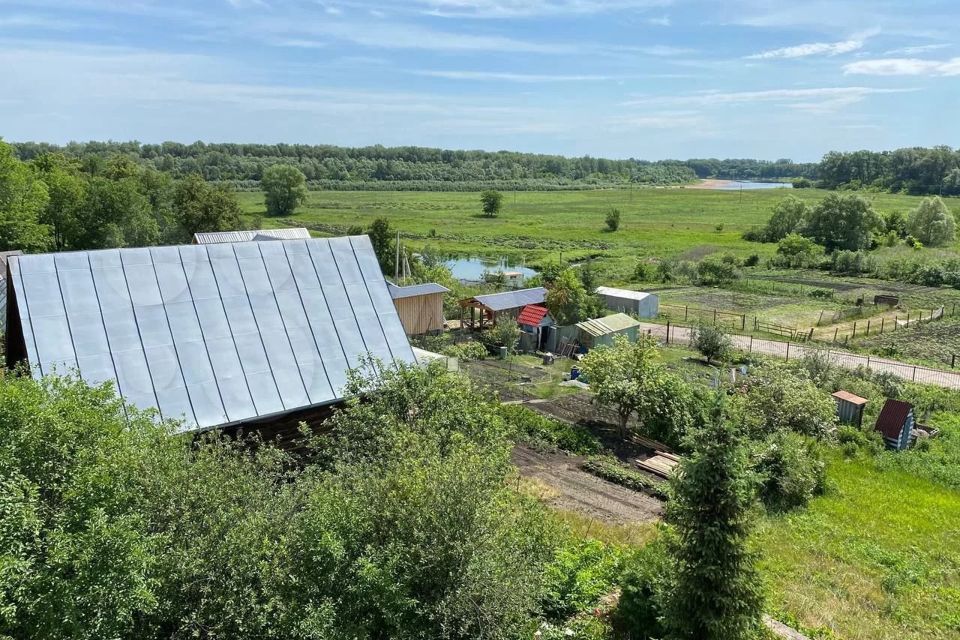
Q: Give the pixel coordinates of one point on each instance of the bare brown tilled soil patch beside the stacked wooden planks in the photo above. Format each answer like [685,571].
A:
[576,490]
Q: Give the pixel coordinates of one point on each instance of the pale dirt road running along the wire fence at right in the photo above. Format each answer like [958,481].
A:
[792,350]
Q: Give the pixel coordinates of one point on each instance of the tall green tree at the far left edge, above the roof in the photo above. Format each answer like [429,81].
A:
[23,199]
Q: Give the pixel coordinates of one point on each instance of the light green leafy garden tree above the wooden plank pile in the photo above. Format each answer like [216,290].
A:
[629,378]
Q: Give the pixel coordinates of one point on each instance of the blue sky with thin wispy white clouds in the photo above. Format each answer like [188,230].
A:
[649,79]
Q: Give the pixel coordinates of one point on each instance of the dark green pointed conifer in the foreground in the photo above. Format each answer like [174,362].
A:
[716,591]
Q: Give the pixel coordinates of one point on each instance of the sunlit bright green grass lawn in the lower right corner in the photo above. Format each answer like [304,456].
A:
[878,557]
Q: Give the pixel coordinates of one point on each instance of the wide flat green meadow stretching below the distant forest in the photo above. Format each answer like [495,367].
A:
[537,226]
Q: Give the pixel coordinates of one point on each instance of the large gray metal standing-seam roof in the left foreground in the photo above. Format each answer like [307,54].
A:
[216,334]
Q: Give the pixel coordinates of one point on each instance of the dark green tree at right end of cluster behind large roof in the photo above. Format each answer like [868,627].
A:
[199,207]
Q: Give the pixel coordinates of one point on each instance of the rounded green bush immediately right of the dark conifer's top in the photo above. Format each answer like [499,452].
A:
[791,471]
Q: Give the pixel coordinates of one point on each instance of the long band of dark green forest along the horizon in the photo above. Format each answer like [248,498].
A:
[913,170]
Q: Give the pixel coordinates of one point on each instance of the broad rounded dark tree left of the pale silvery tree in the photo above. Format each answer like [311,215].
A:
[842,222]
